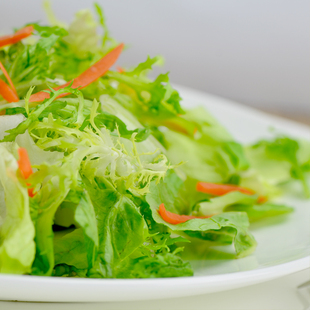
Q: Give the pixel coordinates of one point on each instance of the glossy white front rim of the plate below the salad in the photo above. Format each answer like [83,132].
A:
[91,289]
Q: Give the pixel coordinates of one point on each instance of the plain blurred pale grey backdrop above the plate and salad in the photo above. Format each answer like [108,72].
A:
[253,52]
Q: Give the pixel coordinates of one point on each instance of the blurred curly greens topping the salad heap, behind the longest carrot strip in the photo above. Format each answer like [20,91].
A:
[57,53]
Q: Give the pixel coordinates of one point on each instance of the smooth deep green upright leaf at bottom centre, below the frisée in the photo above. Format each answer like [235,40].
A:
[121,228]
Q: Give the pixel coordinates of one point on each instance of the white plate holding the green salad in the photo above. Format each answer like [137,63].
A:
[283,245]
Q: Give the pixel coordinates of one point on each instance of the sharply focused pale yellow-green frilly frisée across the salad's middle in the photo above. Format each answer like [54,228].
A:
[105,155]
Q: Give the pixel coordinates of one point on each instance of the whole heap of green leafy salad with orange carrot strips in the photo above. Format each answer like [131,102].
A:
[103,174]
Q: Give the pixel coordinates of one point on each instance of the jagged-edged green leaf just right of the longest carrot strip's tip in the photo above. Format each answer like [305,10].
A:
[150,101]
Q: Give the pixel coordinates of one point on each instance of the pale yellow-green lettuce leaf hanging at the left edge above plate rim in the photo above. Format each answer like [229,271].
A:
[17,247]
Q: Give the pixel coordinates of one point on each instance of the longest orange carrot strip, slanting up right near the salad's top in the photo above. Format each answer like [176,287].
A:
[87,77]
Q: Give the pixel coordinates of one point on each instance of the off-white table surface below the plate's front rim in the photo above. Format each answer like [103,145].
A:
[279,294]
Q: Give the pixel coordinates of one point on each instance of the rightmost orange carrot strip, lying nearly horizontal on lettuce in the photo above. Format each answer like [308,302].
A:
[222,189]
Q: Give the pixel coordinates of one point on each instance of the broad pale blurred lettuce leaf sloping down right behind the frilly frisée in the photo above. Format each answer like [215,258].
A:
[209,152]
